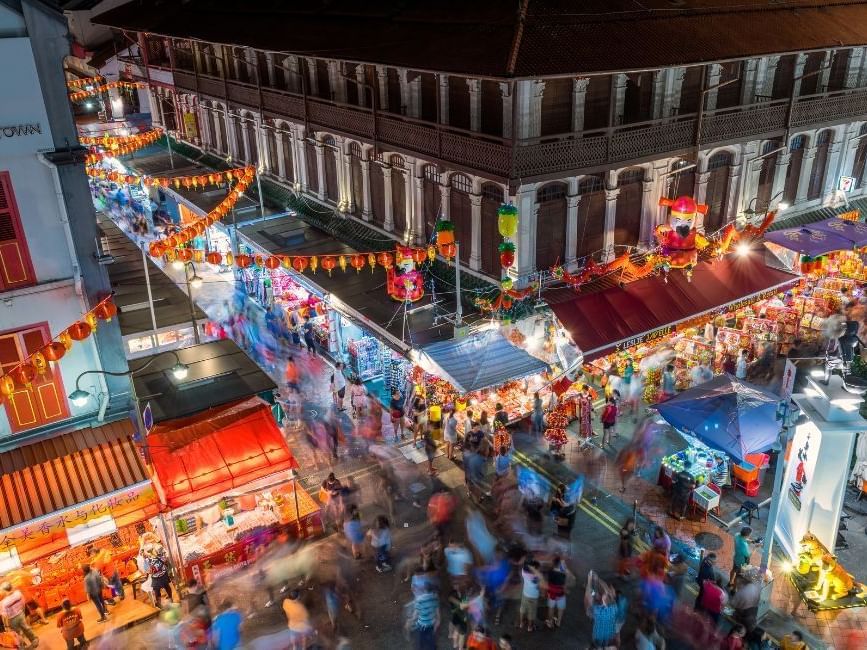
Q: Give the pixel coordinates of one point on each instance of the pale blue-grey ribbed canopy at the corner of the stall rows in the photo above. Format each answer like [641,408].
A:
[479,361]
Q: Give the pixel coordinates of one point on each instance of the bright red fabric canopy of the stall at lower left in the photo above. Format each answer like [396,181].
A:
[220,449]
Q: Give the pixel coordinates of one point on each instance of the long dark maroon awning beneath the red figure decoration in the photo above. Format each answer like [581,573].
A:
[613,318]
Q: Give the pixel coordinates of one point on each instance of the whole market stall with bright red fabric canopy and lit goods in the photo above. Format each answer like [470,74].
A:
[225,477]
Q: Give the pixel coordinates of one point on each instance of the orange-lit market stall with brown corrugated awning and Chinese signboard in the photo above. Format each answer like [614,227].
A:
[62,507]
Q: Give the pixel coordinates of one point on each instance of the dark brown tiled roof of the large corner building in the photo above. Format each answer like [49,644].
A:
[501,39]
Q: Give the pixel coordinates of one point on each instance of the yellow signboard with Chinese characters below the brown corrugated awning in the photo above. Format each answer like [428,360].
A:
[50,533]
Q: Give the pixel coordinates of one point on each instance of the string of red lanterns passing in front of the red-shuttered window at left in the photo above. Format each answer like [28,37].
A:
[25,371]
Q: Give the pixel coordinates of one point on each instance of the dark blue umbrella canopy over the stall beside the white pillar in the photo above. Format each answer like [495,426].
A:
[726,413]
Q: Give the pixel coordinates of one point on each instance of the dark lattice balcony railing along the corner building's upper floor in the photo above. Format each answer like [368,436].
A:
[565,154]
